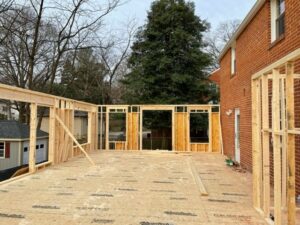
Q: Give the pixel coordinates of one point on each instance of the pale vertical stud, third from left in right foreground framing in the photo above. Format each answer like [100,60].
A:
[277,148]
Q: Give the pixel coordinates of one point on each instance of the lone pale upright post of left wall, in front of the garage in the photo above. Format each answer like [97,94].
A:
[32,142]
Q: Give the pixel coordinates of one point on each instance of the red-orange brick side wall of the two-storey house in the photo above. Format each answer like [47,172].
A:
[254,52]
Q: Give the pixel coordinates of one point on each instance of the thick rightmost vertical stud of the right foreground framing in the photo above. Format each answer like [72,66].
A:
[291,204]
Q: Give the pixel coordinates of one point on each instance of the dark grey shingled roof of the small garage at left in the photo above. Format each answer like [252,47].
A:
[10,129]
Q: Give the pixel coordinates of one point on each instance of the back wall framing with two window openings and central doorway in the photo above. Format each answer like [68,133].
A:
[180,126]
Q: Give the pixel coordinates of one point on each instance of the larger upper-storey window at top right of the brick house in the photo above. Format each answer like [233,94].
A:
[278,19]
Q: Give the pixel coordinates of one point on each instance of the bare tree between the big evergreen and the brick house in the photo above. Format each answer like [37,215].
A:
[218,38]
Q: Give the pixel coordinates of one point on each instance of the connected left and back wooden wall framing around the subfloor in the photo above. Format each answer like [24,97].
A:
[63,145]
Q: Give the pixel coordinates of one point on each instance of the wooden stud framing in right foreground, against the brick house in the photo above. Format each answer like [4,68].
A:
[283,131]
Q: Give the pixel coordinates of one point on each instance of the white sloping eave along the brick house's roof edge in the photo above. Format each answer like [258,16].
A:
[243,25]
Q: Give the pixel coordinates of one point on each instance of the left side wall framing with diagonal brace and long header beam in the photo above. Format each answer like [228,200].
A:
[62,144]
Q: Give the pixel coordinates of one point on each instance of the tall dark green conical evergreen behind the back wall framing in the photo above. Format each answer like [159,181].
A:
[168,64]
